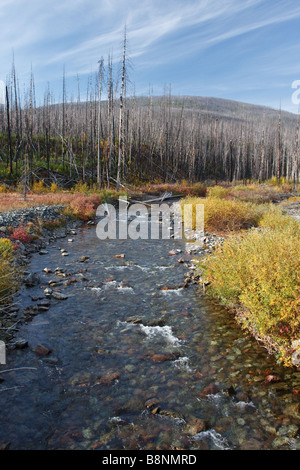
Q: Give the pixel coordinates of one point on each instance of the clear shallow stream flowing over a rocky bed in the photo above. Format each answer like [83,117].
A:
[133,366]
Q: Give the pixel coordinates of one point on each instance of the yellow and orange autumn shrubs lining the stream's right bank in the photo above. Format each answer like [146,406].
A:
[255,272]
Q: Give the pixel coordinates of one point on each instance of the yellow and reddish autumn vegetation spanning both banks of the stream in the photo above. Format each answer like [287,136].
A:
[255,272]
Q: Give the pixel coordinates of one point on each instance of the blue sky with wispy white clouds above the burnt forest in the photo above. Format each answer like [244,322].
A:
[243,50]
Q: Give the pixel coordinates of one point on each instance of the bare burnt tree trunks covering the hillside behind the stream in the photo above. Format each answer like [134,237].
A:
[135,140]
